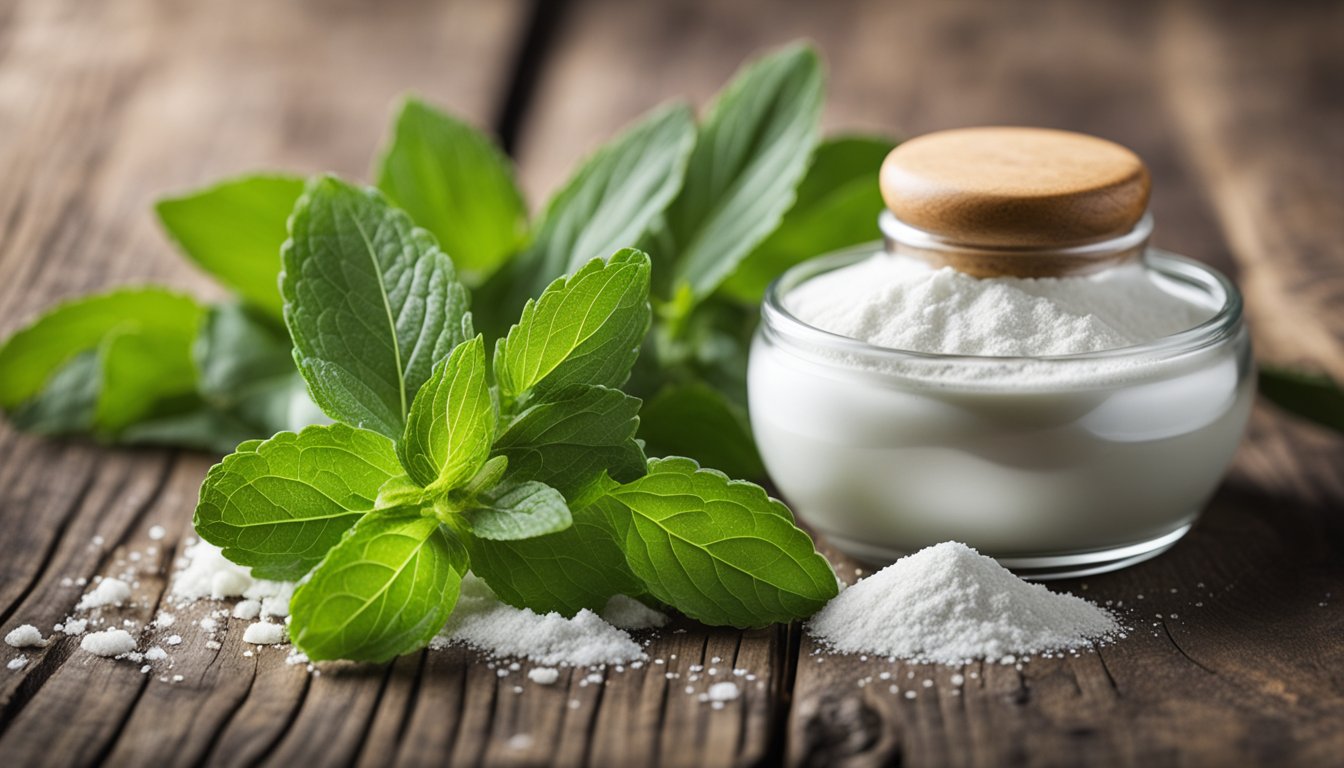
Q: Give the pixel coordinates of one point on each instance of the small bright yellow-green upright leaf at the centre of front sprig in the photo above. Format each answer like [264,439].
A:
[452,422]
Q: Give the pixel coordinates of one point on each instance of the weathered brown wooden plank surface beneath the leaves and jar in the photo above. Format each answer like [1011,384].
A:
[1238,654]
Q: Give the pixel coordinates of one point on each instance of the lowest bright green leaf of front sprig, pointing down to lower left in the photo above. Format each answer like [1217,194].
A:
[386,590]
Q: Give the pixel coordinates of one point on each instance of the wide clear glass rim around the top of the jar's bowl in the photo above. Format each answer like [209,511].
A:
[783,325]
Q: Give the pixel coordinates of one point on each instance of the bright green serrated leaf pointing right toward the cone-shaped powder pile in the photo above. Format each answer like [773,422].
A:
[720,551]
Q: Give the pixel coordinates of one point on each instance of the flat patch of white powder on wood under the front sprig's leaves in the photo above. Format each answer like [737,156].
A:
[483,622]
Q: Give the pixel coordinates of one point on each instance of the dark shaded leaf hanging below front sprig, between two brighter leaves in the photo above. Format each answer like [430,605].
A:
[577,568]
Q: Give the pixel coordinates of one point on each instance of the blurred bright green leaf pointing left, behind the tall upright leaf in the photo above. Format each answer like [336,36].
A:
[235,231]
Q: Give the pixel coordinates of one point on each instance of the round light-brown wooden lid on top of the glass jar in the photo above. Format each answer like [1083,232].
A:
[1015,188]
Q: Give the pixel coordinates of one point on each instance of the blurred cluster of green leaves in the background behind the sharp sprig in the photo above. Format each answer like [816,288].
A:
[724,206]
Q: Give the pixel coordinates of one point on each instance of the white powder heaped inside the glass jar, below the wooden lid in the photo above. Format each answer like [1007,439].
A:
[905,305]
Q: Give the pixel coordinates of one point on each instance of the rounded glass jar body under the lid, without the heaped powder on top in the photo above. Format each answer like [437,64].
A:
[1056,466]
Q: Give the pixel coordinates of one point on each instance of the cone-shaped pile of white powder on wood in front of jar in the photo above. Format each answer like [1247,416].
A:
[951,605]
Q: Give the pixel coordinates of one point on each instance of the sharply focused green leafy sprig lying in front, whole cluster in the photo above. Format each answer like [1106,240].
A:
[523,469]
